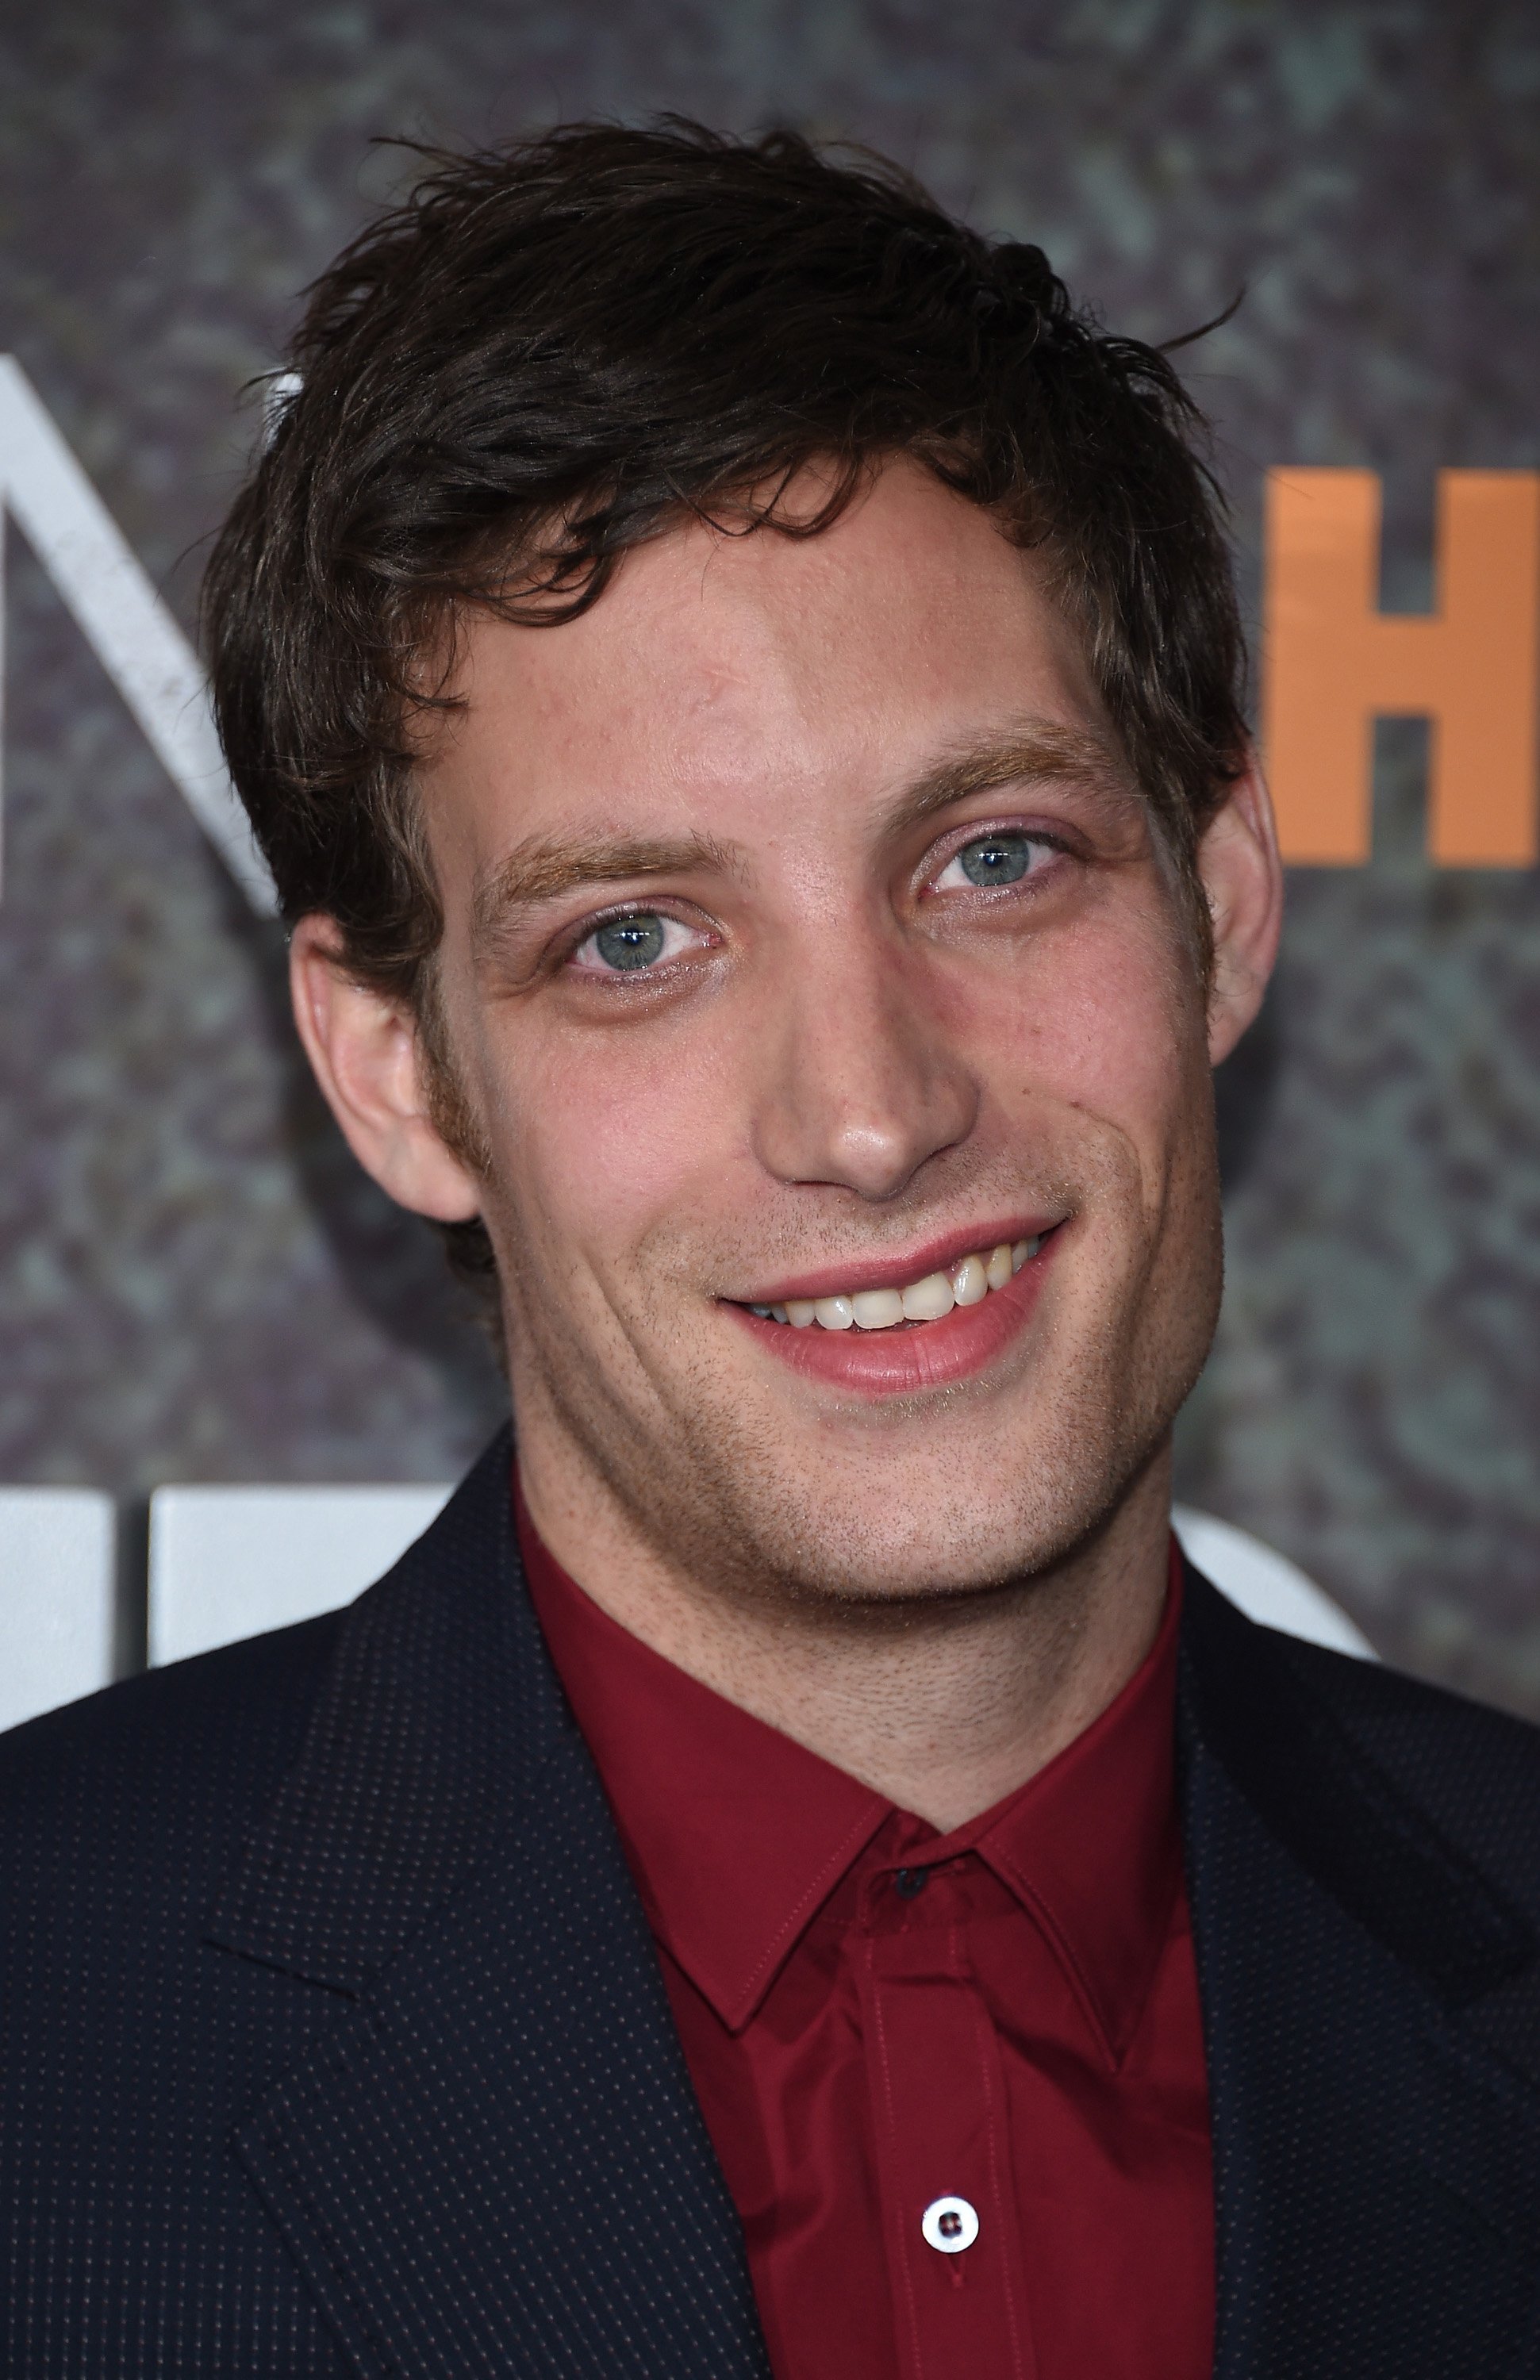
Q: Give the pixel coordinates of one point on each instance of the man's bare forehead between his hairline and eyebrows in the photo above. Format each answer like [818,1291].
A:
[732,672]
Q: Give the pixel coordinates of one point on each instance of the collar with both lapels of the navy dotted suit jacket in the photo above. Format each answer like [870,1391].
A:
[496,2160]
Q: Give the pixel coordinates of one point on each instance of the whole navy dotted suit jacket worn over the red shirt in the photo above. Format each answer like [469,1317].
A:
[332,2038]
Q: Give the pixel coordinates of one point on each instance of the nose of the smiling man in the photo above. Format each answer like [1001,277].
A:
[860,1086]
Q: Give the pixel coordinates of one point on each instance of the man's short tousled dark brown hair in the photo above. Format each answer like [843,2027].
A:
[553,351]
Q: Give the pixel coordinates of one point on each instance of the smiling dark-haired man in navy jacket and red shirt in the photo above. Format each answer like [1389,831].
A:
[739,687]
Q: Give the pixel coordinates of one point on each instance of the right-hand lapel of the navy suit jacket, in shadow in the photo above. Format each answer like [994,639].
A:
[1377,2167]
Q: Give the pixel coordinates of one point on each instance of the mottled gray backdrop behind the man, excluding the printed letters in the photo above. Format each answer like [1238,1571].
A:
[196,1279]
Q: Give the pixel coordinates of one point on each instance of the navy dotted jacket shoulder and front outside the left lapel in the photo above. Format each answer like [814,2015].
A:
[130,2050]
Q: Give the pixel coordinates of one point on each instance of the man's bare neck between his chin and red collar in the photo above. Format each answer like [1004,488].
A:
[939,1708]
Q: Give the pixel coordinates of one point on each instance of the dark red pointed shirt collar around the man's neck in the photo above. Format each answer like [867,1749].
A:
[737,1834]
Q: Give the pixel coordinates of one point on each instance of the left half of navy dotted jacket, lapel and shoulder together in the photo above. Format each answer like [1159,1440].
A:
[334,2038]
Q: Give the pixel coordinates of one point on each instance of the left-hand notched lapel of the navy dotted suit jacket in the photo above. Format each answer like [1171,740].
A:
[494,2165]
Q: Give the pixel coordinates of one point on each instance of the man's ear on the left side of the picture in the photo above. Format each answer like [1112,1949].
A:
[368,1060]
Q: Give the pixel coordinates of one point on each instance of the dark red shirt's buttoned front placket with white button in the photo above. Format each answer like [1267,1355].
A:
[939,2107]
